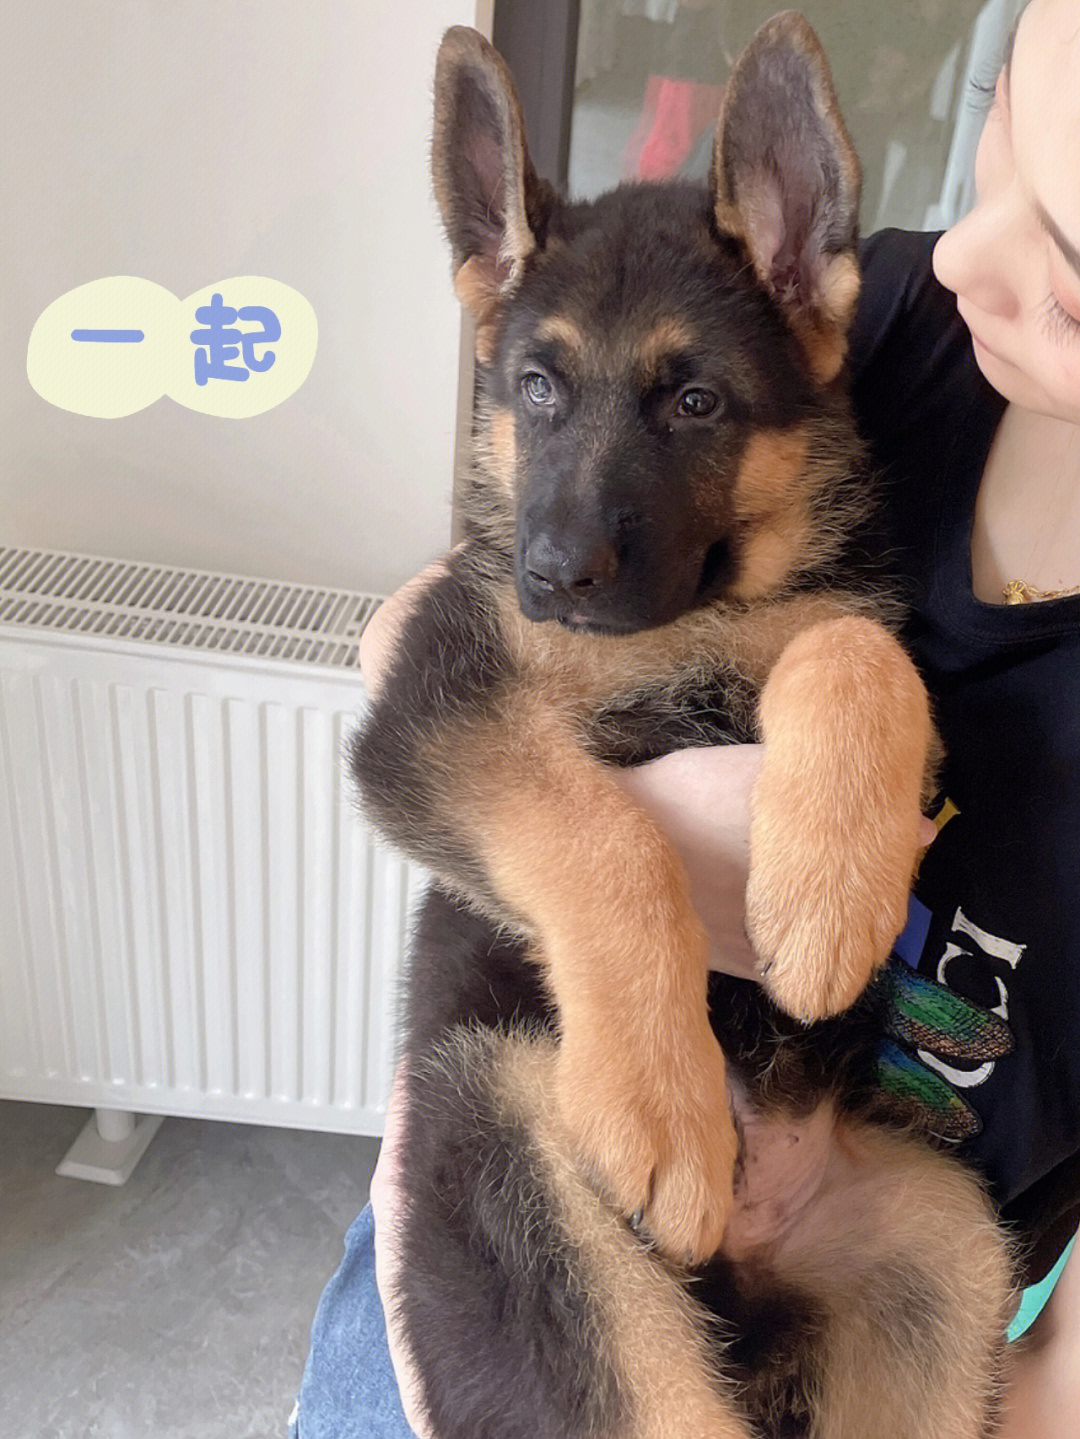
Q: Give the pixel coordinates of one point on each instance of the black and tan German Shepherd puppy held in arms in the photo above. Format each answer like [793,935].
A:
[667,546]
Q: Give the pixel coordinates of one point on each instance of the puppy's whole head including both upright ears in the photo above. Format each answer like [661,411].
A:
[659,365]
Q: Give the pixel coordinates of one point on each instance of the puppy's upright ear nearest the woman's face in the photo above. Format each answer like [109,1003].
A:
[786,176]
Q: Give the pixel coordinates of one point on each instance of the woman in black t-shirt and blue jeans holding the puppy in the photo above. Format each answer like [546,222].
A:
[966,365]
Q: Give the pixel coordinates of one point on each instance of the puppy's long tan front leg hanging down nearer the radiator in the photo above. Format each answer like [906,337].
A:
[641,1076]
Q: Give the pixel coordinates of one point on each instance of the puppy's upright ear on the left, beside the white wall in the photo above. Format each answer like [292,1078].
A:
[494,206]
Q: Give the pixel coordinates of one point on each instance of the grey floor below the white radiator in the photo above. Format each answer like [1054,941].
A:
[179,1306]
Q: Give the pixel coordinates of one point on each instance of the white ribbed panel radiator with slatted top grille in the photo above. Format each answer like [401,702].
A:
[193,917]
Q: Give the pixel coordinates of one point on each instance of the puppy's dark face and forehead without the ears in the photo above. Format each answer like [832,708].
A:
[639,376]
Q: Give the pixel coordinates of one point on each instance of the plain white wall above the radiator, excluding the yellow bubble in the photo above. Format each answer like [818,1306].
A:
[191,140]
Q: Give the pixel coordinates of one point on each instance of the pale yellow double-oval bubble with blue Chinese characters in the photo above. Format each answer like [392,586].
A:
[119,345]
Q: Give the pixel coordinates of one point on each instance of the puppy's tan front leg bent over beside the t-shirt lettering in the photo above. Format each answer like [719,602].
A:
[836,814]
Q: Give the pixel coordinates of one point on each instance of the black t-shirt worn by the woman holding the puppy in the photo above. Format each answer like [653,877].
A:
[999,893]
